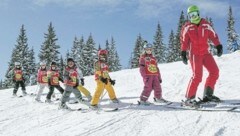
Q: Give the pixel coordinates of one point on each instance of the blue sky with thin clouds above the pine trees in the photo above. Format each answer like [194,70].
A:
[122,19]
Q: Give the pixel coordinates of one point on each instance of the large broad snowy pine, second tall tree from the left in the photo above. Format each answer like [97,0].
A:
[49,49]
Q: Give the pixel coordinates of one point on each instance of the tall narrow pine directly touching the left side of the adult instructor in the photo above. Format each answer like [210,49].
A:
[177,43]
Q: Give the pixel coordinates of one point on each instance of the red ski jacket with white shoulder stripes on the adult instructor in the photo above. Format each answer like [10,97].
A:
[195,37]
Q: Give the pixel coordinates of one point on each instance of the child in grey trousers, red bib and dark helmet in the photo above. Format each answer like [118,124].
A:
[71,81]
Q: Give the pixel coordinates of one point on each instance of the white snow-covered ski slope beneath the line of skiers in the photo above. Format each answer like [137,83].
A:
[24,117]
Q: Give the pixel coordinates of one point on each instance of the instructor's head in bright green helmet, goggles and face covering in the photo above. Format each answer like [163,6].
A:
[195,19]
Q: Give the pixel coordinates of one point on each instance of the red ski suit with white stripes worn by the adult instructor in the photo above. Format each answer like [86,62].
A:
[194,38]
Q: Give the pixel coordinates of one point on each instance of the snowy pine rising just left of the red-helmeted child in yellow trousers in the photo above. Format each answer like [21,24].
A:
[89,56]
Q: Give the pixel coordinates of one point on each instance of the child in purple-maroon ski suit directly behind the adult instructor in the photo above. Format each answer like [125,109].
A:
[151,76]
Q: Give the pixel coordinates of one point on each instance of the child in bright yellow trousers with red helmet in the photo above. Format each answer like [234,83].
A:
[103,80]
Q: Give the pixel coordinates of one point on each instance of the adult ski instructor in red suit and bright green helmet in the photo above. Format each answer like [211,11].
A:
[195,35]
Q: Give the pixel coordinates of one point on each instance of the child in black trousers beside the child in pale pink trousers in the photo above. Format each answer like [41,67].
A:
[53,81]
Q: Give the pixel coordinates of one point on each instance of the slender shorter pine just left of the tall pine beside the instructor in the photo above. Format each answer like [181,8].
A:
[171,52]
